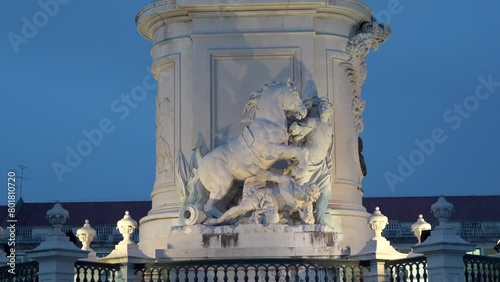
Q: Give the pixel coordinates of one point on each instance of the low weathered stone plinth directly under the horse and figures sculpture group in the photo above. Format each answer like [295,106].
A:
[251,241]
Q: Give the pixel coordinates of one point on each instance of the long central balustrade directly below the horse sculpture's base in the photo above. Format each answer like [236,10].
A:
[253,270]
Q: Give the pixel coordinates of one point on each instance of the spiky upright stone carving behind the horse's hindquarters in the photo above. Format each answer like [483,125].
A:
[189,186]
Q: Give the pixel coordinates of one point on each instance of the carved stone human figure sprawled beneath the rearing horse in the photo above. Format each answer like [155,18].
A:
[269,203]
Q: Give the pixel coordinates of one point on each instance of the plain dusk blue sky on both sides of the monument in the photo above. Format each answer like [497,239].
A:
[64,79]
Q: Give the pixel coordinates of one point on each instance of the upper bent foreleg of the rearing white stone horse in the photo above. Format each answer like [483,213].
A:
[285,152]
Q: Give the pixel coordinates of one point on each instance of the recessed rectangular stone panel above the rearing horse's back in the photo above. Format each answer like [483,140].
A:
[234,75]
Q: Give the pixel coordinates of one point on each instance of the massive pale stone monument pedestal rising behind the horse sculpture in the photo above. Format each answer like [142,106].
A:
[209,55]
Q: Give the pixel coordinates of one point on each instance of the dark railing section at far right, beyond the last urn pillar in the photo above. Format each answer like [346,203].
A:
[481,268]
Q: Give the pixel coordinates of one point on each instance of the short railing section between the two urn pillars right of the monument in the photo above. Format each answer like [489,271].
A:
[408,269]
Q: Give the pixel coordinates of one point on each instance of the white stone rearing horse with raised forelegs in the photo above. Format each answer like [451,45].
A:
[263,142]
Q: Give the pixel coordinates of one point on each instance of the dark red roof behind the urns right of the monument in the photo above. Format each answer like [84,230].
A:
[467,208]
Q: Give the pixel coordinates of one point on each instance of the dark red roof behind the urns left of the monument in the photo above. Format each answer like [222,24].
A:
[98,213]
